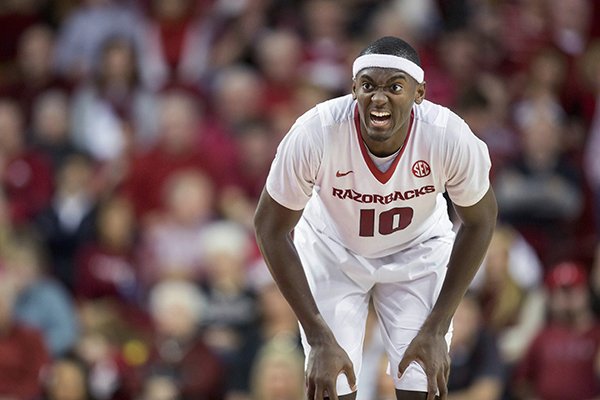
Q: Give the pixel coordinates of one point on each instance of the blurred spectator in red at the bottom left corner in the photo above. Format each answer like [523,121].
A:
[23,354]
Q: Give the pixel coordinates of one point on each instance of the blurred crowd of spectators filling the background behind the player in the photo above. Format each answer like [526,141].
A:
[136,135]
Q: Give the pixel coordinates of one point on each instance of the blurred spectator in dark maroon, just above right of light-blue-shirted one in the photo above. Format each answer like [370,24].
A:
[105,267]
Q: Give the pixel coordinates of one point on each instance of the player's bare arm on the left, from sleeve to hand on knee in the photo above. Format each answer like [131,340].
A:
[274,224]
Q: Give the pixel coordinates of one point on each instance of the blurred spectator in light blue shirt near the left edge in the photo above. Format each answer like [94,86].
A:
[41,301]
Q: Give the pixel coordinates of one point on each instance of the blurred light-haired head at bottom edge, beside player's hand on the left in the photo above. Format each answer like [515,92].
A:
[278,372]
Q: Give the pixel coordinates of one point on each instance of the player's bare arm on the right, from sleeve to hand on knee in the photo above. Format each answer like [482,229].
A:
[429,347]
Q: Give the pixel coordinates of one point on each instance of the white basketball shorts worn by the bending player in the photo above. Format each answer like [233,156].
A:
[403,287]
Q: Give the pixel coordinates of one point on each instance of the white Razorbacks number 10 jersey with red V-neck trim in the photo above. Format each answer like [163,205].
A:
[323,166]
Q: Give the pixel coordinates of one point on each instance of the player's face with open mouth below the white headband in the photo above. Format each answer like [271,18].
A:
[385,98]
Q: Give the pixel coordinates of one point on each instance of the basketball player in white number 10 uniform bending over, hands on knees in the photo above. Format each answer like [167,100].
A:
[360,179]
